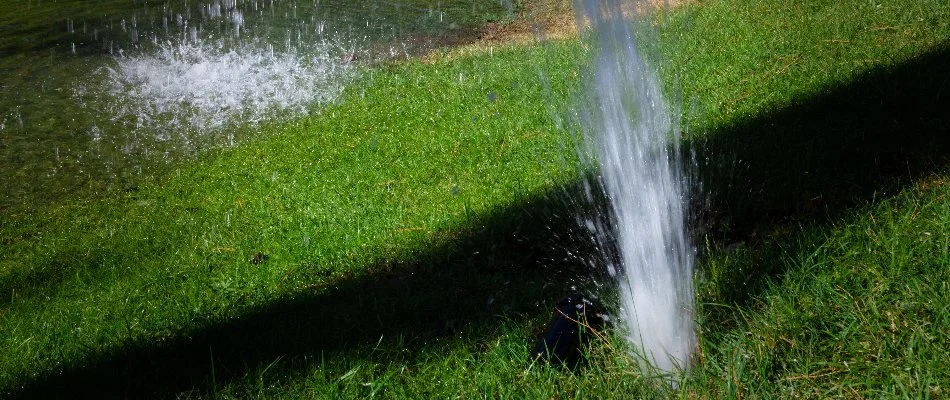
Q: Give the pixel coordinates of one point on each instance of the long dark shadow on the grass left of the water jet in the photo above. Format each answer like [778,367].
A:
[508,266]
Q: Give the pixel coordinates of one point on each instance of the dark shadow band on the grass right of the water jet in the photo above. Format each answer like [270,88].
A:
[774,177]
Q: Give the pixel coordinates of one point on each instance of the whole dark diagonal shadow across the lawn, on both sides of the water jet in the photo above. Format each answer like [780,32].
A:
[804,165]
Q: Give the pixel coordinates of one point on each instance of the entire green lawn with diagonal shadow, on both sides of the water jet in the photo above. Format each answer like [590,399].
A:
[411,240]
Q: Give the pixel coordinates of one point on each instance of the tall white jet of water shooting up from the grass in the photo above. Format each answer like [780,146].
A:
[633,139]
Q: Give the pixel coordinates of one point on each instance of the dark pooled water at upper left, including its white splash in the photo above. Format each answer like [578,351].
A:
[95,94]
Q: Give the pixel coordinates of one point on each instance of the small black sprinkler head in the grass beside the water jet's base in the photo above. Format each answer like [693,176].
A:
[576,319]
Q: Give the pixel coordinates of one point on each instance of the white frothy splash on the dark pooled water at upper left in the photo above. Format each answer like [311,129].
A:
[202,86]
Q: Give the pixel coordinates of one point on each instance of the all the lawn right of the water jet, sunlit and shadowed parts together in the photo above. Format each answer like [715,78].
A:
[818,135]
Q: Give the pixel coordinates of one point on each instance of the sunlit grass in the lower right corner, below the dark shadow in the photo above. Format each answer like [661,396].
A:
[861,311]
